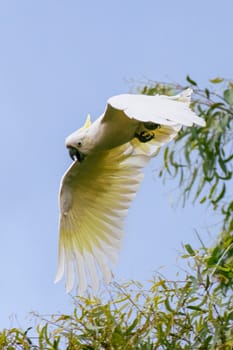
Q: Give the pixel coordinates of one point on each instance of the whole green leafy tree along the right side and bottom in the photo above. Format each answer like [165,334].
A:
[195,312]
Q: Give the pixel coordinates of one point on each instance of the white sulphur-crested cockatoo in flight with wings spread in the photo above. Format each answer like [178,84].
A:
[97,189]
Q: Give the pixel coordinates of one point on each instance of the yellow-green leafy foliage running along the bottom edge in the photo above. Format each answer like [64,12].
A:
[188,314]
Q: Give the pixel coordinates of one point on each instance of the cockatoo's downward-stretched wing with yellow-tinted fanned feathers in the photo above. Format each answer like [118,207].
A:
[94,199]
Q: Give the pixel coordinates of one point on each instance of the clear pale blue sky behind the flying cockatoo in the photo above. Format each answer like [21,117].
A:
[59,61]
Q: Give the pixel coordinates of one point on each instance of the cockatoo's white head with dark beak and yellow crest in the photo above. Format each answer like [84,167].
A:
[76,142]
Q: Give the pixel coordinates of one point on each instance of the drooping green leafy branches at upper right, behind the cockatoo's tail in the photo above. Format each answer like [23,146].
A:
[201,158]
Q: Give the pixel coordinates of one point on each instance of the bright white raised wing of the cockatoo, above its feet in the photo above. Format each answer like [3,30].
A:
[160,109]
